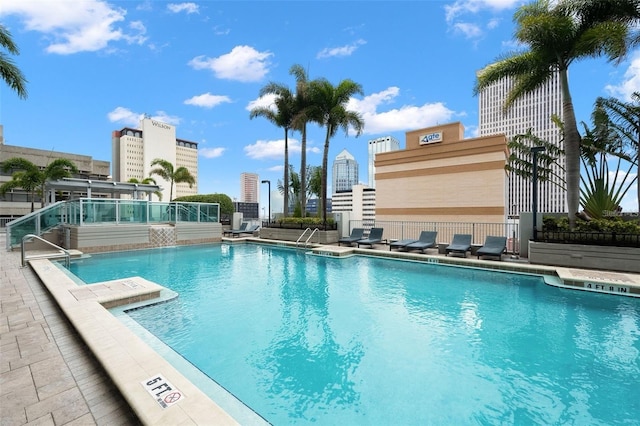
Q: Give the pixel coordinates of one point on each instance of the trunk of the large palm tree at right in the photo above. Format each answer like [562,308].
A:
[572,150]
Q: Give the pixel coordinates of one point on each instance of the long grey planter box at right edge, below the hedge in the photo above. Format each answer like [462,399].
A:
[623,259]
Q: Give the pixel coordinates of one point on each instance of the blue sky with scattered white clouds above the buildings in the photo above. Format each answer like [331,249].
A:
[96,66]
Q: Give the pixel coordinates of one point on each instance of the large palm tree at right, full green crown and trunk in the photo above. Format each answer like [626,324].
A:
[556,34]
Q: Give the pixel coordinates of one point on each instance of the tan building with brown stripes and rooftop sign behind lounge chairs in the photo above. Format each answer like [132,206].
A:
[454,180]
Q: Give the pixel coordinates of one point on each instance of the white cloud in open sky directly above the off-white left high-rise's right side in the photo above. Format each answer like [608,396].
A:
[243,63]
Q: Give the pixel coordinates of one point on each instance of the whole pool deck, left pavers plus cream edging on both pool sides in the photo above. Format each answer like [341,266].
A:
[64,359]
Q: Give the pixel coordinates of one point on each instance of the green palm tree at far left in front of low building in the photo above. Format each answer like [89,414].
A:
[30,178]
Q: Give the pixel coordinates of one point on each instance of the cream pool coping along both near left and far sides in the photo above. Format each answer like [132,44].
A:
[130,361]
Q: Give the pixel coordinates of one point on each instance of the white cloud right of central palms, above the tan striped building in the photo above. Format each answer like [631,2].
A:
[397,119]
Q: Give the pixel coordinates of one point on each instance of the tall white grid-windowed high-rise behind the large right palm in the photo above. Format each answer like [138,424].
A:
[532,111]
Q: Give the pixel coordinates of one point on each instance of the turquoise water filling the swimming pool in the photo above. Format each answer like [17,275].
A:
[305,339]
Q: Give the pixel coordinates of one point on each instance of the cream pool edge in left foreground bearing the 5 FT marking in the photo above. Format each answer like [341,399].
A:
[124,356]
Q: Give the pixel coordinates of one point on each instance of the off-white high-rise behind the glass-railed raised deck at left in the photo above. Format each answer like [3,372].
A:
[133,151]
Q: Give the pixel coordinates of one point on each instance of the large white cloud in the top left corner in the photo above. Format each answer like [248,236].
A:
[72,27]
